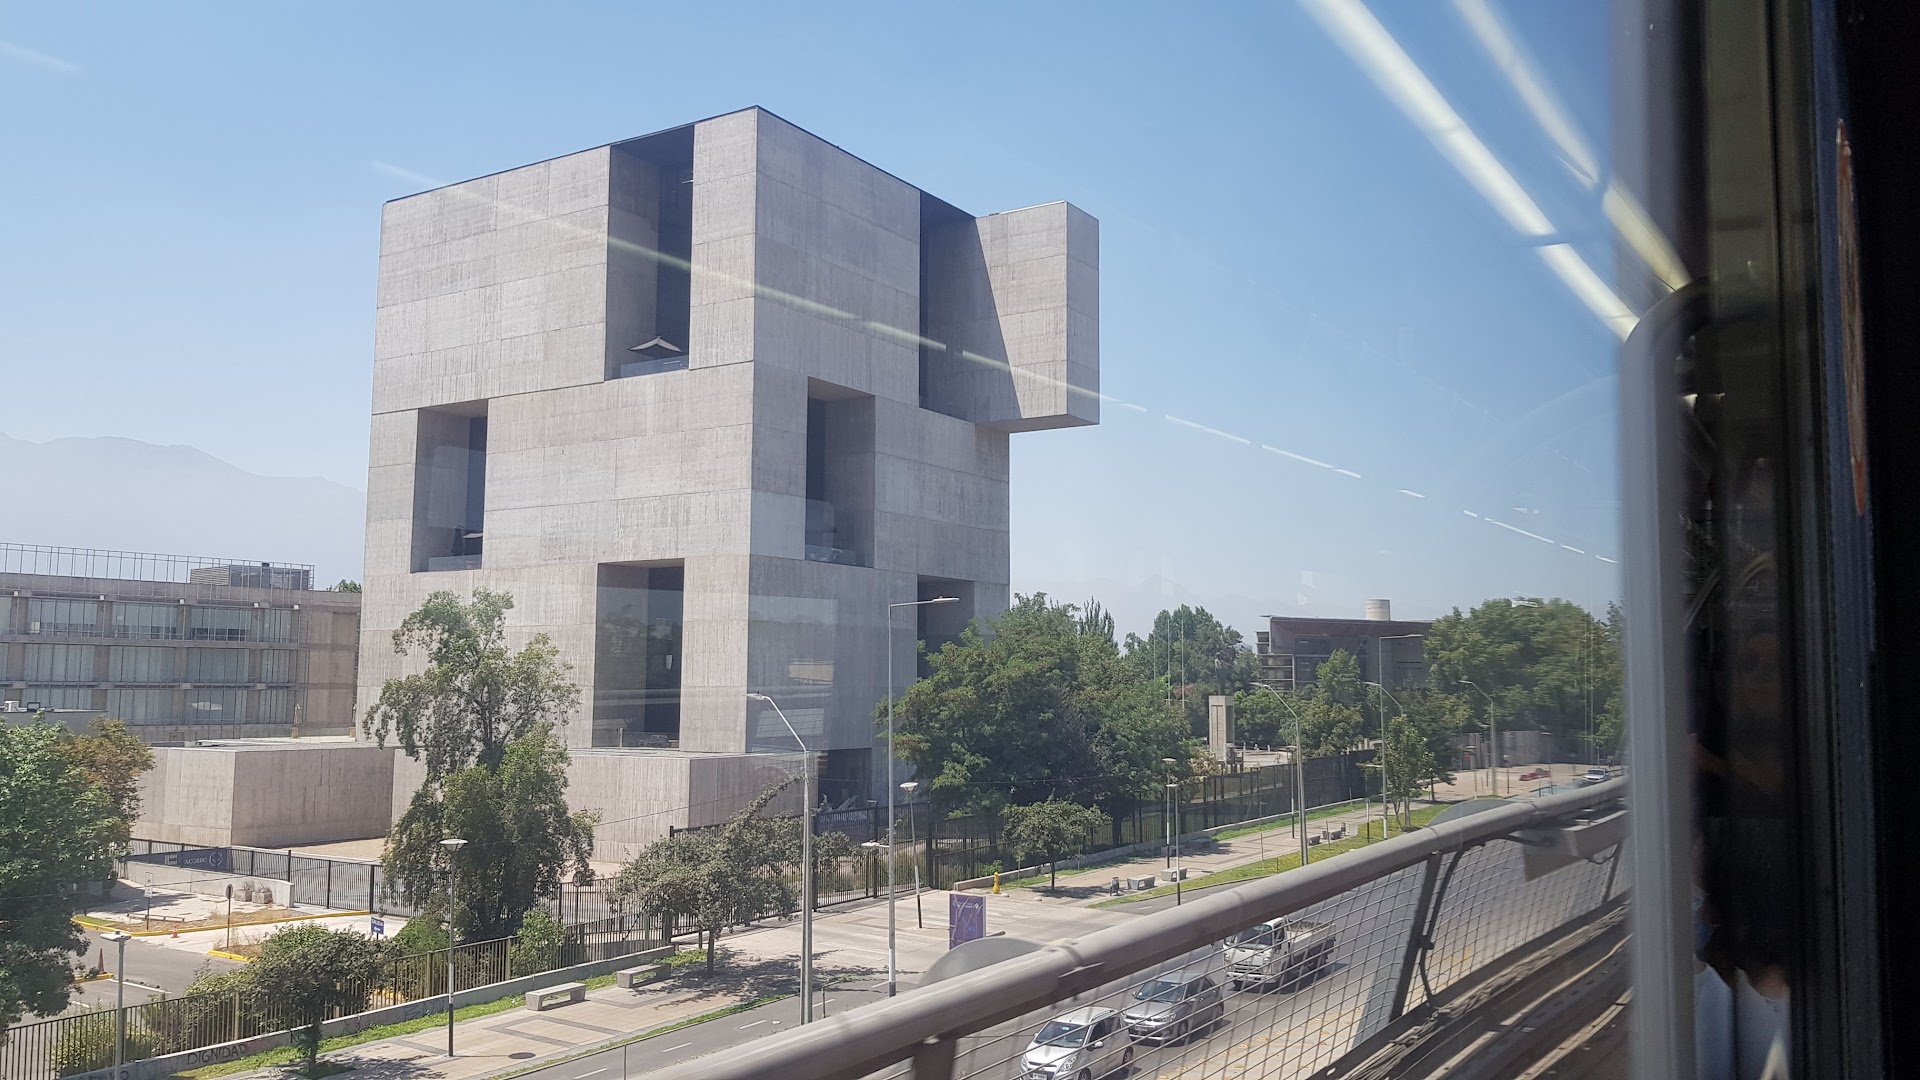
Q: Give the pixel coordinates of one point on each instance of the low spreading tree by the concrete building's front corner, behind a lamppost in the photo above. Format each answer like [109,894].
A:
[721,877]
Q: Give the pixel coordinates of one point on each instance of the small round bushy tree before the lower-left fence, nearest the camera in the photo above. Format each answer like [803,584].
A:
[314,975]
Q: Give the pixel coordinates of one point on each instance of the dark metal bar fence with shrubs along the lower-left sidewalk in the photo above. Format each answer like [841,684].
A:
[84,1043]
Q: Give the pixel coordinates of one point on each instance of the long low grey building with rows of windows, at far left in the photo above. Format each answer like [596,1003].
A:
[178,647]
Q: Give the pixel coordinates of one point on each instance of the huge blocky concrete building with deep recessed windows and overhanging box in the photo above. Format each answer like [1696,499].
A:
[708,403]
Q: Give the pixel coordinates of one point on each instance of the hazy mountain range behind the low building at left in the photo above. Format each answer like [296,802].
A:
[137,497]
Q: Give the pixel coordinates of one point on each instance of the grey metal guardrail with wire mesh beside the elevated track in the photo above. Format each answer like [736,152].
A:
[1416,918]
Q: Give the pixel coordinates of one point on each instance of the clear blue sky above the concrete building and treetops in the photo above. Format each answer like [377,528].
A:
[1287,258]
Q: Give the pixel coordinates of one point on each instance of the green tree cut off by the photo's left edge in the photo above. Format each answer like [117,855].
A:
[57,831]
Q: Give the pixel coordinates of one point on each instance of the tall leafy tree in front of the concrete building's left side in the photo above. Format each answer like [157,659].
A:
[481,720]
